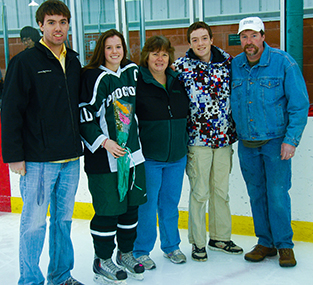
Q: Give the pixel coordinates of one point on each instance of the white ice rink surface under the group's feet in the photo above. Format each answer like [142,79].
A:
[221,268]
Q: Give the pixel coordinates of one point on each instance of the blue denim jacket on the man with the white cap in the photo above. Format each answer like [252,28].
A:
[269,100]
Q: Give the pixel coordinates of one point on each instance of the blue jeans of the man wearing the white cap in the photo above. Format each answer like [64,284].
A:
[268,179]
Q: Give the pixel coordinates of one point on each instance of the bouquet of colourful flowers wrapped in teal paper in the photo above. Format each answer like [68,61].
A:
[123,112]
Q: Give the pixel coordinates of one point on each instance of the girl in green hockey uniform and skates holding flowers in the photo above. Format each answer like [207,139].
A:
[110,77]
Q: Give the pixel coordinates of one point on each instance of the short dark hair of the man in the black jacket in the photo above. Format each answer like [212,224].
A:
[52,7]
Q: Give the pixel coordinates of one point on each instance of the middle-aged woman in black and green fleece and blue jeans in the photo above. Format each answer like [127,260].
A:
[162,107]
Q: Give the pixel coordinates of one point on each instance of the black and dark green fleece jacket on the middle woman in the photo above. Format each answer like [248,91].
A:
[162,115]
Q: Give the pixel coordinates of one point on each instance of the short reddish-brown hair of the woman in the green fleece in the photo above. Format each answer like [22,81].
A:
[156,43]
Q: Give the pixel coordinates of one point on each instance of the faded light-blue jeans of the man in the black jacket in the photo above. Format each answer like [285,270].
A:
[55,184]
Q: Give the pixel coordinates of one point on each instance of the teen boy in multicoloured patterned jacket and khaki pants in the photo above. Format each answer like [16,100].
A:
[205,71]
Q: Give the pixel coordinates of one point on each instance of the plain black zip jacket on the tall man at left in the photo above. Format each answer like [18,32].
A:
[40,107]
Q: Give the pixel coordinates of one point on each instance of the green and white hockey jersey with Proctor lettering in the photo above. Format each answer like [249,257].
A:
[99,88]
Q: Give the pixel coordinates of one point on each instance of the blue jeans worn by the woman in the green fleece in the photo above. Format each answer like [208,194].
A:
[164,185]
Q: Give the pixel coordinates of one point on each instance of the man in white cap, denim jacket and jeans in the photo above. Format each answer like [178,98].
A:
[270,104]
